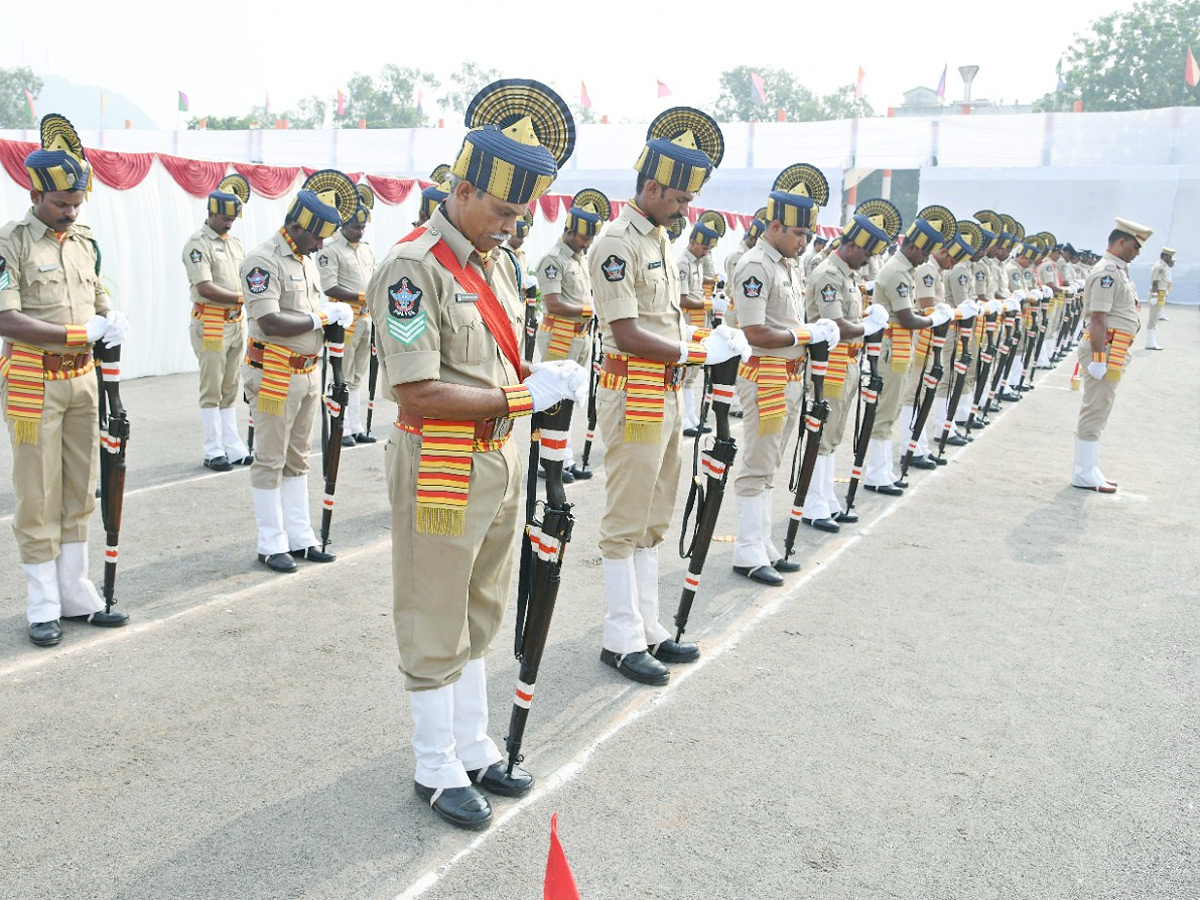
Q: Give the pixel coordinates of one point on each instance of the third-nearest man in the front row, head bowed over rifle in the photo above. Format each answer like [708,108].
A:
[771,383]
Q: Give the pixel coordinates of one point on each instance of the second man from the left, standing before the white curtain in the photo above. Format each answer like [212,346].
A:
[218,332]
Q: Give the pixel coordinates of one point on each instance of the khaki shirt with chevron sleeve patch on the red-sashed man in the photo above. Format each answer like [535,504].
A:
[428,326]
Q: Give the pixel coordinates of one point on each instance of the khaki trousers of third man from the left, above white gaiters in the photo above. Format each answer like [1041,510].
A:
[283,443]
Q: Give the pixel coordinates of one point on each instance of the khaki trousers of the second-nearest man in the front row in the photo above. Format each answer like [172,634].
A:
[640,479]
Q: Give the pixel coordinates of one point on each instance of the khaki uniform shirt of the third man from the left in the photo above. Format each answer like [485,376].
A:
[273,280]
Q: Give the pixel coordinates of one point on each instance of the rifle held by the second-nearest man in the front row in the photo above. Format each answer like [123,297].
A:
[707,503]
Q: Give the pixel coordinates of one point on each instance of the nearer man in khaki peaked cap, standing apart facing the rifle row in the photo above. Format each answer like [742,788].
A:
[1111,307]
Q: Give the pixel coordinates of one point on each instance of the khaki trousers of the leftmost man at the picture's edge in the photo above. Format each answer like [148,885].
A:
[55,481]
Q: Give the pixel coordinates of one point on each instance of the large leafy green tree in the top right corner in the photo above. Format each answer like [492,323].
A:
[1133,59]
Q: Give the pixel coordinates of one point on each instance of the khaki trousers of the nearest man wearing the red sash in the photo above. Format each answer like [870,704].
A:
[449,592]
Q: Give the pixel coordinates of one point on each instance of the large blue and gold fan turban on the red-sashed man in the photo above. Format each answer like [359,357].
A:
[521,131]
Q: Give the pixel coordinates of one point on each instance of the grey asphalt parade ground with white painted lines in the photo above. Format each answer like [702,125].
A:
[986,689]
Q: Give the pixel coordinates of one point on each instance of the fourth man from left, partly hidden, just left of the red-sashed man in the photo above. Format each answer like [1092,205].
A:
[346,265]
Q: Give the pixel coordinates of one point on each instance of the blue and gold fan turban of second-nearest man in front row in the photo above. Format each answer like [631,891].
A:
[683,147]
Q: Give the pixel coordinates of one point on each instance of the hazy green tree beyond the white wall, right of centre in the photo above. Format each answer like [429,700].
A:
[739,100]
